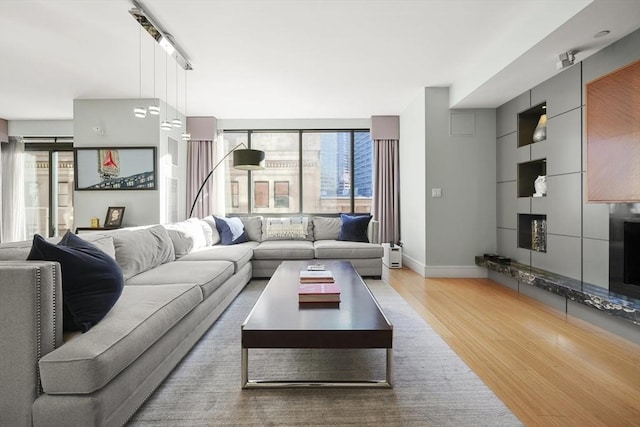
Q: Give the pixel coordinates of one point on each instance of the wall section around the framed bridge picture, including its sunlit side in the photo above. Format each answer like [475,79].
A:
[119,128]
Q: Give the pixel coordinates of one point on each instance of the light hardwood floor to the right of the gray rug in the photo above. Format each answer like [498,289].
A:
[549,368]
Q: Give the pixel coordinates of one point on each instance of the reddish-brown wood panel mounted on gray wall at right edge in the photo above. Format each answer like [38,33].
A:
[613,136]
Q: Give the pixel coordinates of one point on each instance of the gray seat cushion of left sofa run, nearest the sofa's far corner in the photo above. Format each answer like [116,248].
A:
[208,275]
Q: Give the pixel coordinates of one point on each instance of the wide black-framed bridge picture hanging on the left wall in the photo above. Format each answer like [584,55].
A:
[115,168]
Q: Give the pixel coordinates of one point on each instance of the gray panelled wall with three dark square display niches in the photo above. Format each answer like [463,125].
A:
[578,232]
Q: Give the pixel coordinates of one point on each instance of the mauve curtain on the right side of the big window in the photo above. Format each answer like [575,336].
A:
[386,201]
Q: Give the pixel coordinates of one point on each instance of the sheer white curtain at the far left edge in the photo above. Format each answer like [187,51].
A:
[13,224]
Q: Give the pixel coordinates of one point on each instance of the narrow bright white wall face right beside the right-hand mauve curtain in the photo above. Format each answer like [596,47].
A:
[412,184]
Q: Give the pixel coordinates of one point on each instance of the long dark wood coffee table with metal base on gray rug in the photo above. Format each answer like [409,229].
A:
[278,321]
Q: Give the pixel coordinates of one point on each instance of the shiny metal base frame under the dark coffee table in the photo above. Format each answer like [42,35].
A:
[247,383]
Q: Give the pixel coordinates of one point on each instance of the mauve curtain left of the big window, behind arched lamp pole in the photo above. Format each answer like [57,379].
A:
[202,156]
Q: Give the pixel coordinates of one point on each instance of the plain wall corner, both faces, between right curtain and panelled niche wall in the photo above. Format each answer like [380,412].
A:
[454,151]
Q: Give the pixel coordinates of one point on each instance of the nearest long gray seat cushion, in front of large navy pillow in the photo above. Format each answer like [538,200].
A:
[141,316]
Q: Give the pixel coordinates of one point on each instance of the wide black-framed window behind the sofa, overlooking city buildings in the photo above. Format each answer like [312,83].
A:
[314,172]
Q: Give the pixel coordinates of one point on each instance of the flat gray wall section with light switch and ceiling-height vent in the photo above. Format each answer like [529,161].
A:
[461,161]
